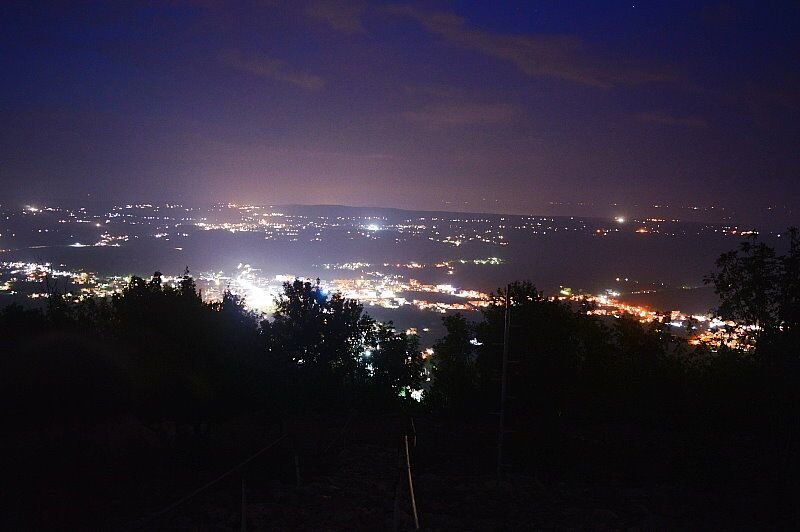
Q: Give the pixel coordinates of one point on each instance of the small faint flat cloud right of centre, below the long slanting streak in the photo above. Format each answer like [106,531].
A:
[446,114]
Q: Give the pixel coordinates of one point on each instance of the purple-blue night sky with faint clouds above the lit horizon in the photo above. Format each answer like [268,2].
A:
[529,107]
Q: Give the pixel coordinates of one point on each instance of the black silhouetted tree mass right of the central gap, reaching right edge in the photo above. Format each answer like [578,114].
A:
[618,398]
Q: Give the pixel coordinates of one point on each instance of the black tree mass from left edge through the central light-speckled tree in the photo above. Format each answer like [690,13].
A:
[162,355]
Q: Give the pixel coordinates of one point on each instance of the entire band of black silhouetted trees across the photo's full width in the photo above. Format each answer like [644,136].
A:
[588,397]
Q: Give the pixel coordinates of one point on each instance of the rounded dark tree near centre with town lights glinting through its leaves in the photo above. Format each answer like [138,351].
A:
[326,350]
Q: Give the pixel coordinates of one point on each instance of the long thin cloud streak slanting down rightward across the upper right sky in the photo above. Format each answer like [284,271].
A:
[563,57]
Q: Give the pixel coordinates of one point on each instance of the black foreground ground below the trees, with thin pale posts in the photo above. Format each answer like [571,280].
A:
[347,471]
